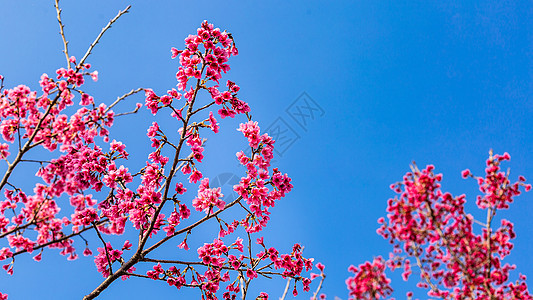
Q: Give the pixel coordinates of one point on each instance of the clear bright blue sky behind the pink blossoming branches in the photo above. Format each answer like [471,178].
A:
[392,81]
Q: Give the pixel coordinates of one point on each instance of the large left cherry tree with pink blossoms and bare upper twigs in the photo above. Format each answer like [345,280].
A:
[88,171]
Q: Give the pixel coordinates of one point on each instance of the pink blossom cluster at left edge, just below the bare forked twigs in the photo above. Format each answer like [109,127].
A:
[40,118]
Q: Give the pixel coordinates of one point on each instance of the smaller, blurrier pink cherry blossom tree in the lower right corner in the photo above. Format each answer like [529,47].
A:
[455,255]
